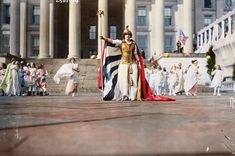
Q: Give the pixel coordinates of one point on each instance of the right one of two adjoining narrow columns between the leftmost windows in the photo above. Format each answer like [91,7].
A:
[23,21]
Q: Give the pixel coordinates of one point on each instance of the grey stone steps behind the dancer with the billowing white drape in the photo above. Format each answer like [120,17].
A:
[88,76]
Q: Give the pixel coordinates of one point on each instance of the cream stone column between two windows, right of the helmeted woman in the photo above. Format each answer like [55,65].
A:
[158,34]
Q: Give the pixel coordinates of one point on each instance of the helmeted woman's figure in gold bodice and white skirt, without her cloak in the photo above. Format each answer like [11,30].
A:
[128,67]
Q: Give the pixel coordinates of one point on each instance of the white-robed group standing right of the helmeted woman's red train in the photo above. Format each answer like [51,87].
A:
[179,80]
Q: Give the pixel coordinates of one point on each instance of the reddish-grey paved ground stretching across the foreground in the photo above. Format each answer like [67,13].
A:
[86,125]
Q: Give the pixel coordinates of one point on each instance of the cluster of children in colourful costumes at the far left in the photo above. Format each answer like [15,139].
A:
[21,79]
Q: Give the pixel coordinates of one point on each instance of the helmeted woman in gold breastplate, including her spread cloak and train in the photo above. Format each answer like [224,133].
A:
[128,82]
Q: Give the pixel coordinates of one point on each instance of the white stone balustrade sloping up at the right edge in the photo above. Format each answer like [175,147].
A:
[217,30]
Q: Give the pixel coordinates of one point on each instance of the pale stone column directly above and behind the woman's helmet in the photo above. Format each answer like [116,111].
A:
[130,16]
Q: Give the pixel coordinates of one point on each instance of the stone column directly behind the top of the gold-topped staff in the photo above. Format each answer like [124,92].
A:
[102,24]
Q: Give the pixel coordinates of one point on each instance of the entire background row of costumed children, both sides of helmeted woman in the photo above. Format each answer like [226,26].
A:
[21,78]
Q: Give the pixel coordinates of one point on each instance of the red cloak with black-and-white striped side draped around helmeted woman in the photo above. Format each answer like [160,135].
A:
[108,73]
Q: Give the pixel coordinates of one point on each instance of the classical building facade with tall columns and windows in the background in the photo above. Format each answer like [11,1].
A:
[70,28]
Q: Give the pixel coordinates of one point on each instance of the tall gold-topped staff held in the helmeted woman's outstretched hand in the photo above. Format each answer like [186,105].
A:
[100,13]
